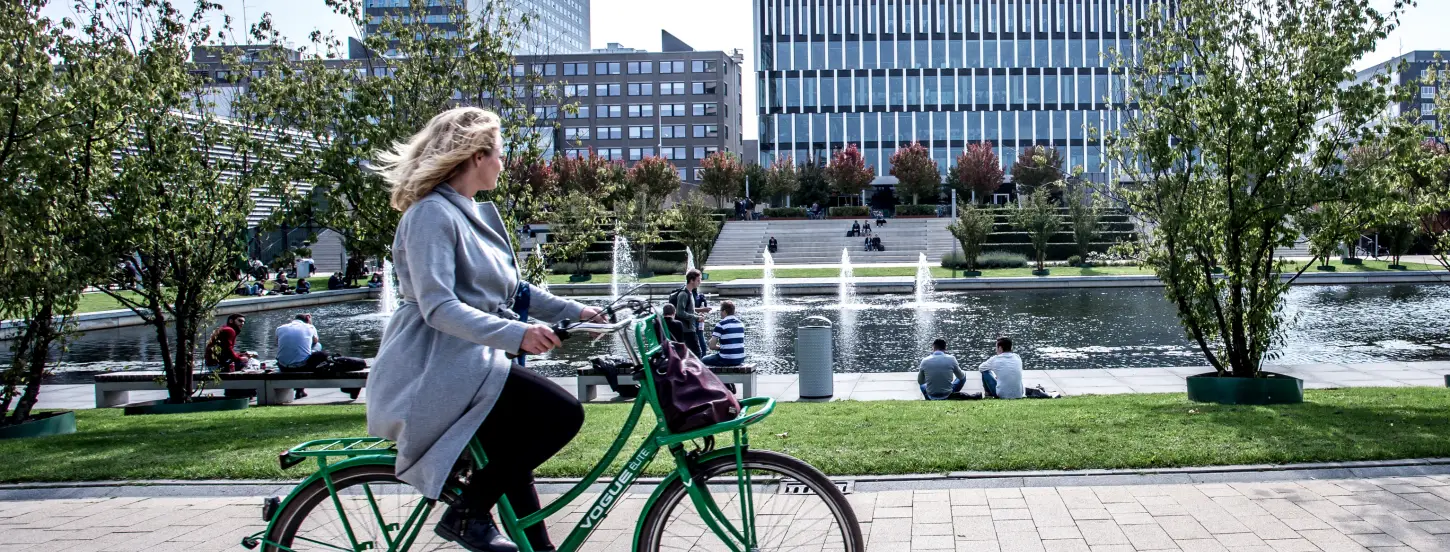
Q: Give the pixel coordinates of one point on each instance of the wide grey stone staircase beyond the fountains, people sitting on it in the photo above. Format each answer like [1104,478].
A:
[821,241]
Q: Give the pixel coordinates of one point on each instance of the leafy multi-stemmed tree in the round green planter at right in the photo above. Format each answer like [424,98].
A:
[1227,160]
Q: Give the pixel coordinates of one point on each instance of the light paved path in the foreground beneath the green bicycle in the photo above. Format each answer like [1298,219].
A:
[1297,514]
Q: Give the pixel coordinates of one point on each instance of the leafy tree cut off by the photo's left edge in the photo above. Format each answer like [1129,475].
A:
[59,128]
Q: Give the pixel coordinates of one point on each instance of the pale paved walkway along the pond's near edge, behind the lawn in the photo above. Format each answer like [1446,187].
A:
[903,386]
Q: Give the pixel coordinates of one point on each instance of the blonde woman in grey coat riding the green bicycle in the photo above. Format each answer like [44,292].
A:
[442,375]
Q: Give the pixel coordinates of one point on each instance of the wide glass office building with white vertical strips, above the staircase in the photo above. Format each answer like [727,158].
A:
[943,73]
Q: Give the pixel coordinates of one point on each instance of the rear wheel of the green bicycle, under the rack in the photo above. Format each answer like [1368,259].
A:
[370,509]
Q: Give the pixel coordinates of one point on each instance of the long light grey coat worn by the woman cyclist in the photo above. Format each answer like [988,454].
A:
[442,364]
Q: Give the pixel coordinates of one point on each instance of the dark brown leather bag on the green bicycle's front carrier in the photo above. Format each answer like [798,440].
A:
[691,395]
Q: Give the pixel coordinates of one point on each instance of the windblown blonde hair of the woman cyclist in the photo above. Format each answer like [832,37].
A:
[434,154]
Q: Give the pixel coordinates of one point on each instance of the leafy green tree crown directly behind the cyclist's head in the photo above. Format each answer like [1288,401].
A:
[350,108]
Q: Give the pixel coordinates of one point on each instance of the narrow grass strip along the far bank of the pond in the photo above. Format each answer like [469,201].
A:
[946,273]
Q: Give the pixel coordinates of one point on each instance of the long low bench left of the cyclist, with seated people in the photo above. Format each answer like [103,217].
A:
[114,389]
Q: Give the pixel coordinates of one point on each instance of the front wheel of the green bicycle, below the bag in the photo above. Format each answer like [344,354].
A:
[792,508]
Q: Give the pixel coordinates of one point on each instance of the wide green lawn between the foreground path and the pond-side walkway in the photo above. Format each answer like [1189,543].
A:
[840,438]
